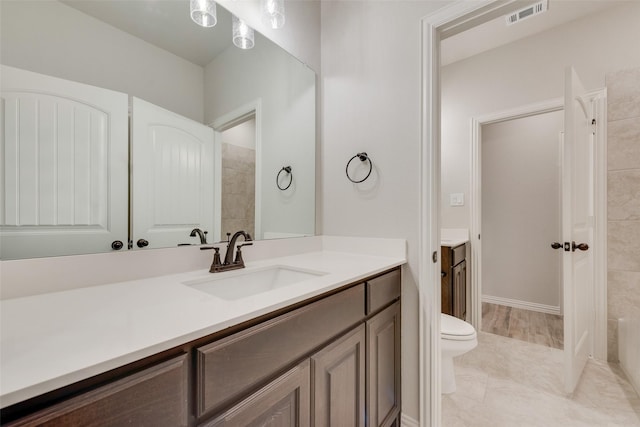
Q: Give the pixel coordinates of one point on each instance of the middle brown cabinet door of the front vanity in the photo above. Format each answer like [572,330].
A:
[339,381]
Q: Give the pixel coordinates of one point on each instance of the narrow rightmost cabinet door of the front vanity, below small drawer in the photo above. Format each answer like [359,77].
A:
[383,366]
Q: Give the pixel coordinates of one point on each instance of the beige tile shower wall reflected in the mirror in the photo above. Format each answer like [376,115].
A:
[238,204]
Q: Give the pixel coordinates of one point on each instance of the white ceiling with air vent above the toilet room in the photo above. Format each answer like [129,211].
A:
[496,33]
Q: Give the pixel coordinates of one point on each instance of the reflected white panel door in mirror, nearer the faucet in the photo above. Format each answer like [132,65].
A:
[171,177]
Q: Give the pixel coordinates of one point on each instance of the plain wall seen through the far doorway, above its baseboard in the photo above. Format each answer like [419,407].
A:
[521,210]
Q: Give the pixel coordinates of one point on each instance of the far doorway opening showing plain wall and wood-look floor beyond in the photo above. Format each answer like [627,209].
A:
[520,197]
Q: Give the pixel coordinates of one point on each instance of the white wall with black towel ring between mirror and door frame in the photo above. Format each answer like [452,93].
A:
[371,102]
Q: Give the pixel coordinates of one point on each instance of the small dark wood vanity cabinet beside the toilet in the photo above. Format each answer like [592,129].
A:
[454,280]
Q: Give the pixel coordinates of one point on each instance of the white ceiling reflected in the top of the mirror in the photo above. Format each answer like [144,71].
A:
[163,23]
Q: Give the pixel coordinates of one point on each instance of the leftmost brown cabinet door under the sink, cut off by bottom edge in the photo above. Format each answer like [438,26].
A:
[283,402]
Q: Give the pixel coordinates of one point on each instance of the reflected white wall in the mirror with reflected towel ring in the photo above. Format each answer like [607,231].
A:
[286,89]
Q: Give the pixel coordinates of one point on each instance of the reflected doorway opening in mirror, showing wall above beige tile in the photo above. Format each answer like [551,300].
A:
[238,194]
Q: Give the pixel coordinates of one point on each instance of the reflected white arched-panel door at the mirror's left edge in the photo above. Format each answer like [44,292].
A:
[63,176]
